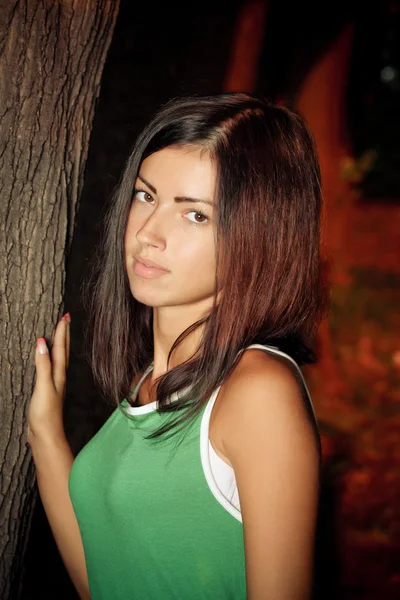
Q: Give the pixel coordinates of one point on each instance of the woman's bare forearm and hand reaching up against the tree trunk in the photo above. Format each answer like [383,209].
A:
[53,457]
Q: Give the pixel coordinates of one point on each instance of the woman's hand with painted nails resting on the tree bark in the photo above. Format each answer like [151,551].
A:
[45,413]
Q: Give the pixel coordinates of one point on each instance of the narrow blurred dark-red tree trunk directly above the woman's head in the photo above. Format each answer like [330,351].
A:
[246,47]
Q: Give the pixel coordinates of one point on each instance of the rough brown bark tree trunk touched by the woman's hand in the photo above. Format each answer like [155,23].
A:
[52,54]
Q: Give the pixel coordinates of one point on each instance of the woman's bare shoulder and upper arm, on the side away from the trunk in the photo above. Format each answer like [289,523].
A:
[269,439]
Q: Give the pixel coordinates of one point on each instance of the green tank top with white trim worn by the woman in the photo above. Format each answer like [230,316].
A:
[153,526]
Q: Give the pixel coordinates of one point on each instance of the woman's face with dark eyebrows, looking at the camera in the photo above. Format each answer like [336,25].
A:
[171,224]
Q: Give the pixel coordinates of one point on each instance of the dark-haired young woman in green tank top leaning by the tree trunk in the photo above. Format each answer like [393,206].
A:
[203,483]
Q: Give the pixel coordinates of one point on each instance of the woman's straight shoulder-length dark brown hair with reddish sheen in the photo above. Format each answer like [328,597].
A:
[268,251]
